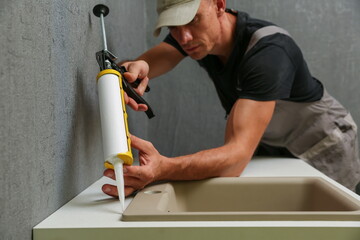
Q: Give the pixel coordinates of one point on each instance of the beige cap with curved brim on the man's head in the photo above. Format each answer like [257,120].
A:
[177,15]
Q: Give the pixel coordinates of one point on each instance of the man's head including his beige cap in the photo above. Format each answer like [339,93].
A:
[195,24]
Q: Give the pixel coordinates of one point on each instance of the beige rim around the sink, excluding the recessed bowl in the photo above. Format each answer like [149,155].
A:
[152,213]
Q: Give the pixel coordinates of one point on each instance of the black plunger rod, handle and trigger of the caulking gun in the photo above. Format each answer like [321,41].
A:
[106,60]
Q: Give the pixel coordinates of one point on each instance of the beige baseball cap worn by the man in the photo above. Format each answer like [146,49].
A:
[175,13]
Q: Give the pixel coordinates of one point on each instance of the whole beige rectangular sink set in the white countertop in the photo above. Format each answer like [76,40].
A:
[244,199]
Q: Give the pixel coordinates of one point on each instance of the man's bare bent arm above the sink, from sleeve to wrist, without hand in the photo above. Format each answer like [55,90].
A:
[245,126]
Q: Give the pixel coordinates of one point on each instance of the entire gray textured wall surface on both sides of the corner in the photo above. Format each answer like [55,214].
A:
[50,146]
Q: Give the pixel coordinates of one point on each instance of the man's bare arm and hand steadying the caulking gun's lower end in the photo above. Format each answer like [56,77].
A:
[245,126]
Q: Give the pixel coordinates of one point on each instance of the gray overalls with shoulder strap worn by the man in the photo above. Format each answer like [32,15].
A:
[322,133]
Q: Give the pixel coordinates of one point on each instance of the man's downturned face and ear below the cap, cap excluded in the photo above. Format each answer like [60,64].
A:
[199,37]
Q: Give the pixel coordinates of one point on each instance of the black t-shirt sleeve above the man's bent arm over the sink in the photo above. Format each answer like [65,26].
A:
[267,75]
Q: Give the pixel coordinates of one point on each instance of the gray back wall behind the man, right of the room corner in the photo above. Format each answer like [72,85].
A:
[328,31]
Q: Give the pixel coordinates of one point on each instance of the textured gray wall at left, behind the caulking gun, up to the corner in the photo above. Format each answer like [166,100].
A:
[50,128]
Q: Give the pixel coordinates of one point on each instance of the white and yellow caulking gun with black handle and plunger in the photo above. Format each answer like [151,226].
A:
[114,125]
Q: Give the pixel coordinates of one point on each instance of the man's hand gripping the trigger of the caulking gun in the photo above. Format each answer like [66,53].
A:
[136,70]
